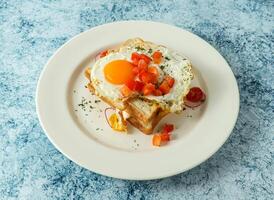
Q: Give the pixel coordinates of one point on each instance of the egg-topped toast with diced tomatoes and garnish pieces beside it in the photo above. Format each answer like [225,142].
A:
[144,82]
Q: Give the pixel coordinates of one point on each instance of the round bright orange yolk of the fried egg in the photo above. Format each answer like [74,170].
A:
[118,71]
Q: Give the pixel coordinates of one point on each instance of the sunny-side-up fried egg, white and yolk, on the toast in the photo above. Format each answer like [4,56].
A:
[109,73]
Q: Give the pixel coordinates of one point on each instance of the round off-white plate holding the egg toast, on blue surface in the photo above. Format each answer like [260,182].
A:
[84,136]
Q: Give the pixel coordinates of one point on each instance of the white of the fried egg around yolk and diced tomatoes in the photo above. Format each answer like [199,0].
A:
[173,64]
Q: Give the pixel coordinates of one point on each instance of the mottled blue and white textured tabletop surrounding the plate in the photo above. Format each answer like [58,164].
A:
[30,32]
